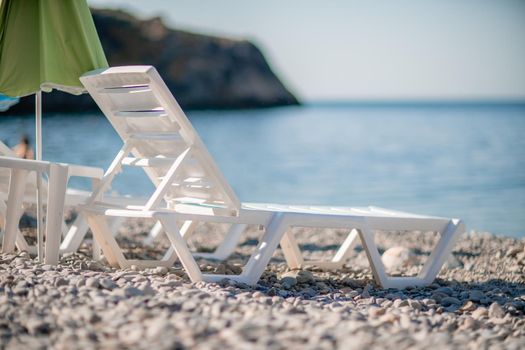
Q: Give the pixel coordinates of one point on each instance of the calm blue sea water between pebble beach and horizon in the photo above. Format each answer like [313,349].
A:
[456,161]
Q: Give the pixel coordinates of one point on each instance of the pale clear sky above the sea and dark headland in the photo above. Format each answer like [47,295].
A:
[369,50]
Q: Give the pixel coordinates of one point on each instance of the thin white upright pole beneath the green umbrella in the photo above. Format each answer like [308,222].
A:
[38,155]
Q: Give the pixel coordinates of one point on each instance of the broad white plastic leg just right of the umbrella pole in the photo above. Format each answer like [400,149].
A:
[58,175]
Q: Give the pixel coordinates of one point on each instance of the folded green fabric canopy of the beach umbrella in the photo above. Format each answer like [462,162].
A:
[45,45]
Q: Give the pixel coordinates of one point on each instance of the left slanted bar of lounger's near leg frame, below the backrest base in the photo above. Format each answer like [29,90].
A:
[181,248]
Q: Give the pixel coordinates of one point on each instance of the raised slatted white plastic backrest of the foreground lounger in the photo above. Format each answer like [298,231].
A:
[141,108]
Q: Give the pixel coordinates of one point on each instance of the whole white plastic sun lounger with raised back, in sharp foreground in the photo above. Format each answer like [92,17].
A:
[189,188]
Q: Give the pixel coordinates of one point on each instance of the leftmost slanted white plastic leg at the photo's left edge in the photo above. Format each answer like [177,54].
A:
[14,209]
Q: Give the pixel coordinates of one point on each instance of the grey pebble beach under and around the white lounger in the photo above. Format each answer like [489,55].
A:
[477,301]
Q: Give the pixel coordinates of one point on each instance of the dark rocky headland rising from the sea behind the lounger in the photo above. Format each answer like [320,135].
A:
[201,71]
